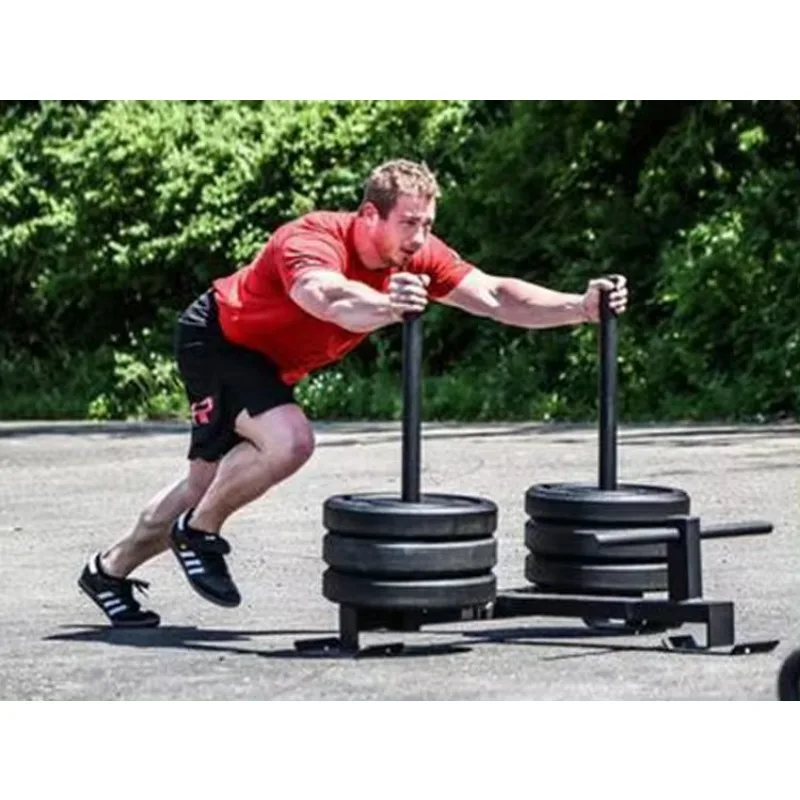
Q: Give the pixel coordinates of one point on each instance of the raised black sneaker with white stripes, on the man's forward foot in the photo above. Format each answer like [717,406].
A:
[201,556]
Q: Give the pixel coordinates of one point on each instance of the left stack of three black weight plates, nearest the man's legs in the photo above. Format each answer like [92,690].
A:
[383,552]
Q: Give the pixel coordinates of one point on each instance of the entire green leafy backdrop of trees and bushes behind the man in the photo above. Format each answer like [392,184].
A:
[114,215]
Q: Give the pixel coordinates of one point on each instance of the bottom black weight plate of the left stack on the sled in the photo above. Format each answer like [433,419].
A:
[377,593]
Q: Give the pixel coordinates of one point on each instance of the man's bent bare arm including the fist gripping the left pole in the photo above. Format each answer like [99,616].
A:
[353,305]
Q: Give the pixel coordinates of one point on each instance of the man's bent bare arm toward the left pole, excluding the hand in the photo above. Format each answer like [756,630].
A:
[351,305]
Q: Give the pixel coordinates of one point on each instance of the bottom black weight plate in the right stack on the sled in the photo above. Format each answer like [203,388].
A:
[570,577]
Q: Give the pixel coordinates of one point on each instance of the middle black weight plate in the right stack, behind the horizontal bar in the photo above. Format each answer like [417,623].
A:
[573,541]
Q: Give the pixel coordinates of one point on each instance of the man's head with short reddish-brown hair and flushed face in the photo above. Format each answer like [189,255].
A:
[398,210]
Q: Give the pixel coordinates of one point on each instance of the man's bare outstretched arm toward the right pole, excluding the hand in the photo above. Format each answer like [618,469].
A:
[516,302]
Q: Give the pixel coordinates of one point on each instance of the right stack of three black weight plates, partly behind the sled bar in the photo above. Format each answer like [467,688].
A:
[565,557]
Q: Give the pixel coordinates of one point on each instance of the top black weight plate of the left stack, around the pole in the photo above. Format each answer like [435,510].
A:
[436,516]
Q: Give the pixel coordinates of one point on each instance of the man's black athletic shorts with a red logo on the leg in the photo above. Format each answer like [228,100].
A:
[221,379]
